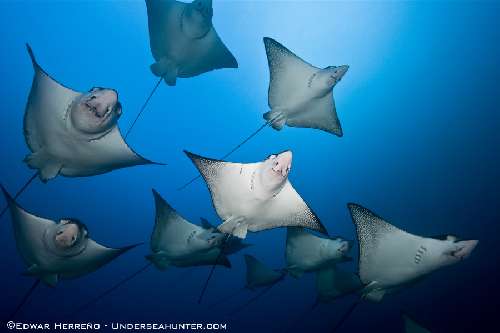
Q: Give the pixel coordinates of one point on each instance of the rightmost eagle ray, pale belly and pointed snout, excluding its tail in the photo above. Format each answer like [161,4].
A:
[391,258]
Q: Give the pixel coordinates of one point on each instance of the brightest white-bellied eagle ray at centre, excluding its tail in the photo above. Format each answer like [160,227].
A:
[255,196]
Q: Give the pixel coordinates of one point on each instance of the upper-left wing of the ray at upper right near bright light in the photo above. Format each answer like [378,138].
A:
[289,74]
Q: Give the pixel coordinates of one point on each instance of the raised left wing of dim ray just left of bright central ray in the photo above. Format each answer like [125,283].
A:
[171,230]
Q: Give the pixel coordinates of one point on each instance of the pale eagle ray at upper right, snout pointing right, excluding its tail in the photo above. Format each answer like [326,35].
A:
[300,94]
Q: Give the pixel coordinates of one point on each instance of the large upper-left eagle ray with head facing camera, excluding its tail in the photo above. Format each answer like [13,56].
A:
[73,133]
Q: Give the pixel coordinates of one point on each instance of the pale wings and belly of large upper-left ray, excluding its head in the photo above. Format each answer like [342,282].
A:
[56,148]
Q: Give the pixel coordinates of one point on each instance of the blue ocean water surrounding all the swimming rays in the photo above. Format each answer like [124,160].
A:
[419,110]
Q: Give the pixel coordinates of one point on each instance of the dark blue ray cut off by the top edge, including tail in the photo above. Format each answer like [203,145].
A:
[183,42]
